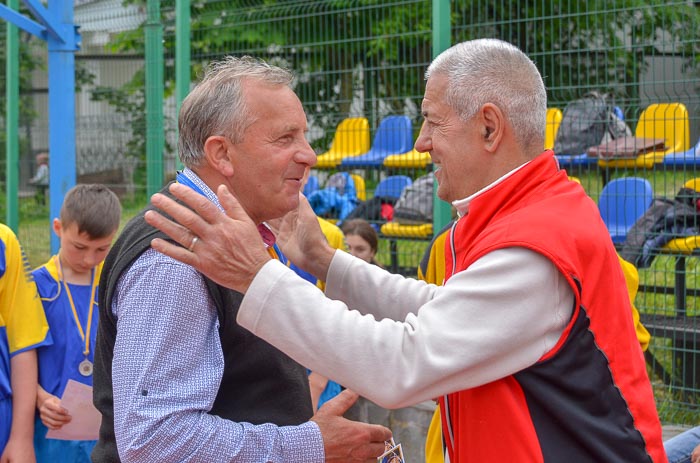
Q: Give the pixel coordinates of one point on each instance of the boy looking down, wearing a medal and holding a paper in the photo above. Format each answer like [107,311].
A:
[67,284]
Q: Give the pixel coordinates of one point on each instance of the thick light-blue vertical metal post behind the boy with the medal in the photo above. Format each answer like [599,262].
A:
[62,166]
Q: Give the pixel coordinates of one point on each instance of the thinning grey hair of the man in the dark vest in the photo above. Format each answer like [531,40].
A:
[217,106]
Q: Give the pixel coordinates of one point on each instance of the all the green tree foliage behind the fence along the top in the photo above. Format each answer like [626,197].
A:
[369,56]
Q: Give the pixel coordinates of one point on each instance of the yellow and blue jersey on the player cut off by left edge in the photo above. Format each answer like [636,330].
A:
[22,322]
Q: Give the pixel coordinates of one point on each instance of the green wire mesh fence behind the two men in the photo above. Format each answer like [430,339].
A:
[366,59]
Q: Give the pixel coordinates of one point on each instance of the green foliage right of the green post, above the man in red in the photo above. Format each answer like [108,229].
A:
[585,45]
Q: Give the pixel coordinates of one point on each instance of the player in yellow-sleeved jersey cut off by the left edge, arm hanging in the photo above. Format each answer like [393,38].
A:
[22,329]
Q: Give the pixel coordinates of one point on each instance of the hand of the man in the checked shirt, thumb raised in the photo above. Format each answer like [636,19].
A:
[345,440]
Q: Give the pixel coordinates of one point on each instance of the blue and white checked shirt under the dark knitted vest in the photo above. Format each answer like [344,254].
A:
[167,369]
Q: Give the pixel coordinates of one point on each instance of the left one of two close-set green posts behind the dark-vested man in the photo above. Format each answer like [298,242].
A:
[155,139]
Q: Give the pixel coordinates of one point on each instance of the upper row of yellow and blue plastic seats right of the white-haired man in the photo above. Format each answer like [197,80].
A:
[659,120]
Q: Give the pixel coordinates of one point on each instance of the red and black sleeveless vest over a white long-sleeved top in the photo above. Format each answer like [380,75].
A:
[587,400]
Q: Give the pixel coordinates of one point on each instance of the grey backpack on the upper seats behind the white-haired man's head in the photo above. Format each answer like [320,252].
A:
[588,122]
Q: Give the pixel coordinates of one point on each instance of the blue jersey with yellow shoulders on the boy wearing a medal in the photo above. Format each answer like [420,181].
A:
[60,362]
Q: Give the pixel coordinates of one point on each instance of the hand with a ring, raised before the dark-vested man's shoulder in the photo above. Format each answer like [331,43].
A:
[227,248]
